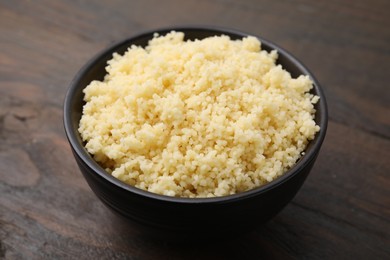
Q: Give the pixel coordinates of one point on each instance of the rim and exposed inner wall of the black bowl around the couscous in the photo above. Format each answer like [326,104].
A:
[95,70]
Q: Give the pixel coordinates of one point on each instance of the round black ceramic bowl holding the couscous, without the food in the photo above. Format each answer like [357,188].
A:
[185,217]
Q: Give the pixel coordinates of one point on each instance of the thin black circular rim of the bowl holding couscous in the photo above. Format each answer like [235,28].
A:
[81,152]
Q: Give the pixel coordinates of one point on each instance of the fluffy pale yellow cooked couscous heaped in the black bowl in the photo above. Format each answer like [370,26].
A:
[199,118]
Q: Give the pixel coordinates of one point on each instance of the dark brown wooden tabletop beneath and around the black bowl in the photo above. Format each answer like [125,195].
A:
[47,211]
